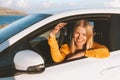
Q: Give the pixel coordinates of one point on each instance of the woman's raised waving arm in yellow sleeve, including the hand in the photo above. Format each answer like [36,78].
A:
[57,54]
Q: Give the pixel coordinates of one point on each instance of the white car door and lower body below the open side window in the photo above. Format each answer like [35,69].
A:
[84,69]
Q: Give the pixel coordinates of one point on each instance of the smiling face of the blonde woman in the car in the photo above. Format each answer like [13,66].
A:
[80,37]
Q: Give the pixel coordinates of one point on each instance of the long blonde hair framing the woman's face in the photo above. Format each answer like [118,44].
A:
[89,32]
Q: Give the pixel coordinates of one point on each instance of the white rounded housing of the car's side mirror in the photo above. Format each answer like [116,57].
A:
[22,59]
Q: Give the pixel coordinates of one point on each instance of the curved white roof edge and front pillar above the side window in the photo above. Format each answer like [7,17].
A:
[23,33]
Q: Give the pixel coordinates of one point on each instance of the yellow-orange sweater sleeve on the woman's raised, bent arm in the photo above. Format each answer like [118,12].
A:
[57,54]
